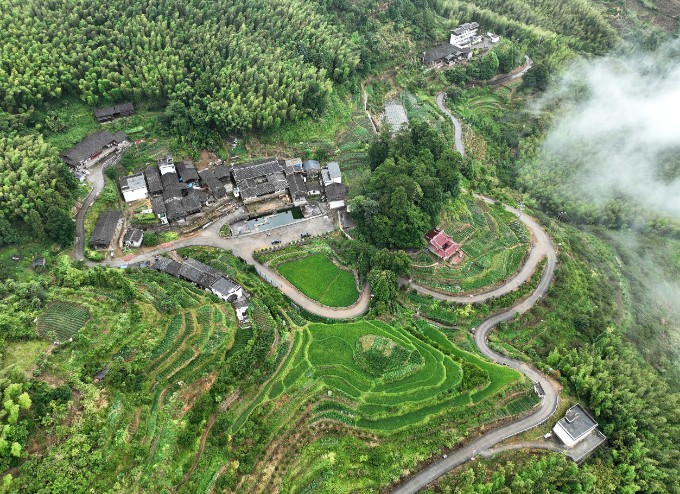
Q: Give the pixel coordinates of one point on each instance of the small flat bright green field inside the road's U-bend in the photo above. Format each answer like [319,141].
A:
[320,279]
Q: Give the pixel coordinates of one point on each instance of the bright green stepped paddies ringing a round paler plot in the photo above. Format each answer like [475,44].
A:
[384,378]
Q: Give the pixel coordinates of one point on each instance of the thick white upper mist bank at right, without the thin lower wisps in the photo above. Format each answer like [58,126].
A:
[620,128]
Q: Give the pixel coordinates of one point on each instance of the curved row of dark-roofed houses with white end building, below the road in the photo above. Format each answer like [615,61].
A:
[208,278]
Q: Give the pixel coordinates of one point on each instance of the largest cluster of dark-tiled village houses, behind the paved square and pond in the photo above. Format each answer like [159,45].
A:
[177,192]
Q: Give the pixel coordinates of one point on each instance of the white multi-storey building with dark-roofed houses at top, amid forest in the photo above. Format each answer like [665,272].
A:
[459,47]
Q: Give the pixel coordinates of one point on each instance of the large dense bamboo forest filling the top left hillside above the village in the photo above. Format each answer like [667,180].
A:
[232,65]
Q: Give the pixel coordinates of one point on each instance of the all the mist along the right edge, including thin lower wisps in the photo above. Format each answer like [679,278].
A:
[616,137]
